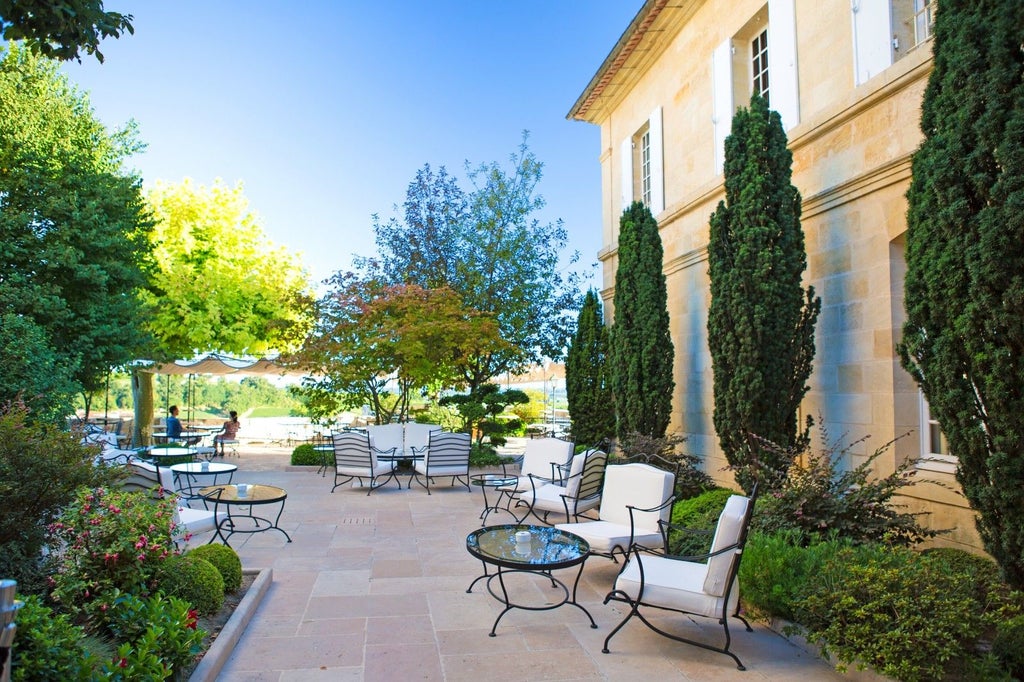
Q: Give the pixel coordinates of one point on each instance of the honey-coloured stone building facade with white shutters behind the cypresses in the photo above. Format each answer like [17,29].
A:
[847,78]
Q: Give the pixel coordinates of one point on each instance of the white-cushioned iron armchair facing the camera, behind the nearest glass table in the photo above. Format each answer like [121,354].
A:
[635,499]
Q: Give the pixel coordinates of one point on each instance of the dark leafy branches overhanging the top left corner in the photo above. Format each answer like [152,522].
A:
[61,30]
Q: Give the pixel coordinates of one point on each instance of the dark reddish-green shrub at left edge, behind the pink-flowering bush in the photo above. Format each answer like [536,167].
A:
[41,467]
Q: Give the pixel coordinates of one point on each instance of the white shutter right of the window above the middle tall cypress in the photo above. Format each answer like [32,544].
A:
[784,86]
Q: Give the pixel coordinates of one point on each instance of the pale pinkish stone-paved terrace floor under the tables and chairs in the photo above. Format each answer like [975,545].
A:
[374,588]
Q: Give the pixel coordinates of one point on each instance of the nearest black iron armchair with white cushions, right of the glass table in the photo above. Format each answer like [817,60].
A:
[705,585]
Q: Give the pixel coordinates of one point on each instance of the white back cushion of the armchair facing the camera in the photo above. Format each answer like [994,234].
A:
[642,486]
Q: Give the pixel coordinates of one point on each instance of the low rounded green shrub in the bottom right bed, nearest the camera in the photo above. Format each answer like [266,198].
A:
[903,614]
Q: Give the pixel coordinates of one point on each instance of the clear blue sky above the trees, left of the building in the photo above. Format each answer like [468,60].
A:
[325,110]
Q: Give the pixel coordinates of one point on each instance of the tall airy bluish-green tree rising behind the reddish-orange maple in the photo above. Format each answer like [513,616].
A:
[487,246]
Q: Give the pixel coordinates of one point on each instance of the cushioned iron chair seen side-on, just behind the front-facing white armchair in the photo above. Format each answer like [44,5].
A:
[580,493]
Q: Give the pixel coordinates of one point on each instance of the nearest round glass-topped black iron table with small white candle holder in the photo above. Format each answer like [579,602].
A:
[546,550]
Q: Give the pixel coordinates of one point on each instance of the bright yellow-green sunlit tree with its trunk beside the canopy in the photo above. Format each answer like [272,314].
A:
[220,284]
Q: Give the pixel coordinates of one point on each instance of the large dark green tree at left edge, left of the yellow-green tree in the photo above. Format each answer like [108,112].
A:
[74,237]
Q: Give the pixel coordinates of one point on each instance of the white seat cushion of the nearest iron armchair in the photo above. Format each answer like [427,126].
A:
[673,584]
